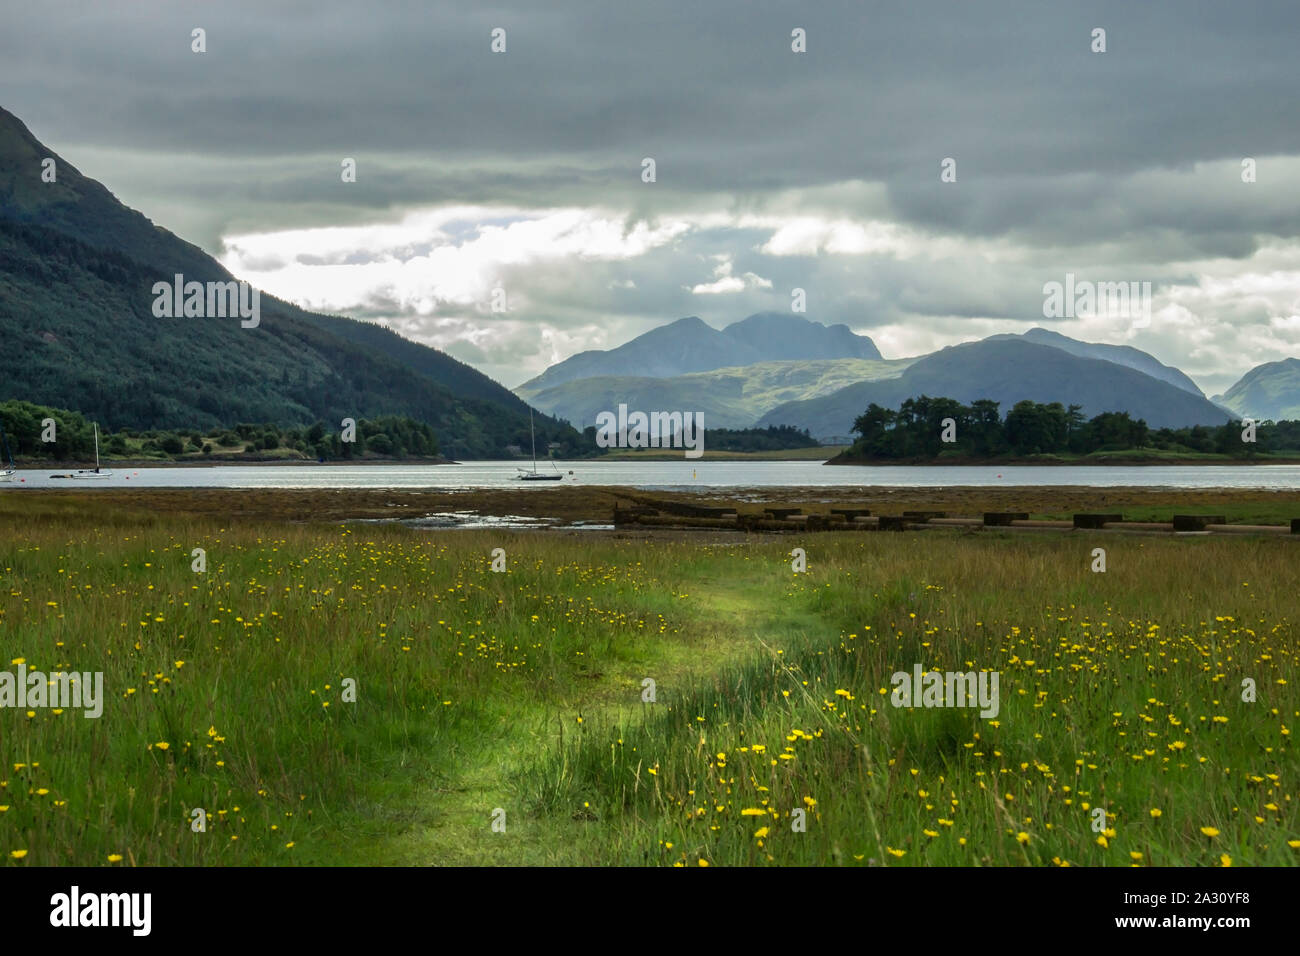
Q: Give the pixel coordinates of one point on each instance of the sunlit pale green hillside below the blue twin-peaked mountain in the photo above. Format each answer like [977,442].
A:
[729,397]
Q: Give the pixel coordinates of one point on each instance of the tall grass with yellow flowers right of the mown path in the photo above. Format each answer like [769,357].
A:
[1121,691]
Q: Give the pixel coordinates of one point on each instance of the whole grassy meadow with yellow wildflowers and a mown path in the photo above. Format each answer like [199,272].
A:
[522,691]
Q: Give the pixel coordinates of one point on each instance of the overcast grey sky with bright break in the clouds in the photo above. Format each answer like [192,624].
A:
[775,170]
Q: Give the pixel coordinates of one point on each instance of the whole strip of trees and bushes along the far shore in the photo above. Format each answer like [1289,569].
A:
[922,432]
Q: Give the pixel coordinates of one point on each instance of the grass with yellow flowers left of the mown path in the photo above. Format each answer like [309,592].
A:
[226,689]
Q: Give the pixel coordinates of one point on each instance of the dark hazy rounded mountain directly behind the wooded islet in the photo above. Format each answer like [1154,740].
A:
[1008,371]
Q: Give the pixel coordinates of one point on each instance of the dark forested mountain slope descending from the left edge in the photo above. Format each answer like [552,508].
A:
[77,271]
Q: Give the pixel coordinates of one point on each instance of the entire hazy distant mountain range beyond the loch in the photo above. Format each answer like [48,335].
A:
[825,395]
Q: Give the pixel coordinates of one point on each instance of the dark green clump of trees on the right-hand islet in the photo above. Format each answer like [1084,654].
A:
[920,429]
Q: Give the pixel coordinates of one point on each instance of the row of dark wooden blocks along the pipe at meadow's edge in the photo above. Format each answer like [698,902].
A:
[673,514]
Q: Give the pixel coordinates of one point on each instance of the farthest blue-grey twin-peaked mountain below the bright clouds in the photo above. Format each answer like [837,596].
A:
[691,345]
